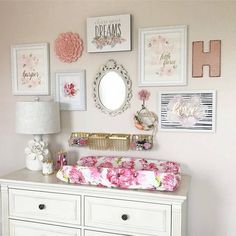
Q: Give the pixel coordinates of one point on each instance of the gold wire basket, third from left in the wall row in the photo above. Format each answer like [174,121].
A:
[119,142]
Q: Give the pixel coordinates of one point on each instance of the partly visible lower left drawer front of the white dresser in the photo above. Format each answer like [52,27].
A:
[20,228]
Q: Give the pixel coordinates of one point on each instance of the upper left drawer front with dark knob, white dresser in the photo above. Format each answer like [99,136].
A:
[47,207]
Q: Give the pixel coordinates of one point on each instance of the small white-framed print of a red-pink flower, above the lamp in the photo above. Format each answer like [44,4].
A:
[70,90]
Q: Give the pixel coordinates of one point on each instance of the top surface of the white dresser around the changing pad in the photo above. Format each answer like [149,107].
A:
[27,178]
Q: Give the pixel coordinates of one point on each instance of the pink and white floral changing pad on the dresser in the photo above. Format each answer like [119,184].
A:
[123,172]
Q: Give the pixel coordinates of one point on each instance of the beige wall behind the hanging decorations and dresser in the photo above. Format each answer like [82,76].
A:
[208,158]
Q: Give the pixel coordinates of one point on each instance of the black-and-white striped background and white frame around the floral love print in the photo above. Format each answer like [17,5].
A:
[206,123]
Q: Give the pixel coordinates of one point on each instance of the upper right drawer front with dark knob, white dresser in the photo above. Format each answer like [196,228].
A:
[128,216]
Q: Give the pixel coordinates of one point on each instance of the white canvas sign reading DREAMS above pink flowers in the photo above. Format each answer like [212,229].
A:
[109,33]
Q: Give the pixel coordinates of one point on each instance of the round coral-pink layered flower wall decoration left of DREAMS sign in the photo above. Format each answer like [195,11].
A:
[68,47]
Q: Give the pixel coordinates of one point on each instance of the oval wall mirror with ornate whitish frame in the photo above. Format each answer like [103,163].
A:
[112,89]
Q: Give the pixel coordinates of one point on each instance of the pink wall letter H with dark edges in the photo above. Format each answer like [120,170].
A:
[211,58]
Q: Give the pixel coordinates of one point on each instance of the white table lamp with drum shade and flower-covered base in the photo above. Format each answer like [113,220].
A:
[37,118]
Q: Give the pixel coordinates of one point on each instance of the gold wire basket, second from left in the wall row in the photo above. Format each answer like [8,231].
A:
[99,141]
